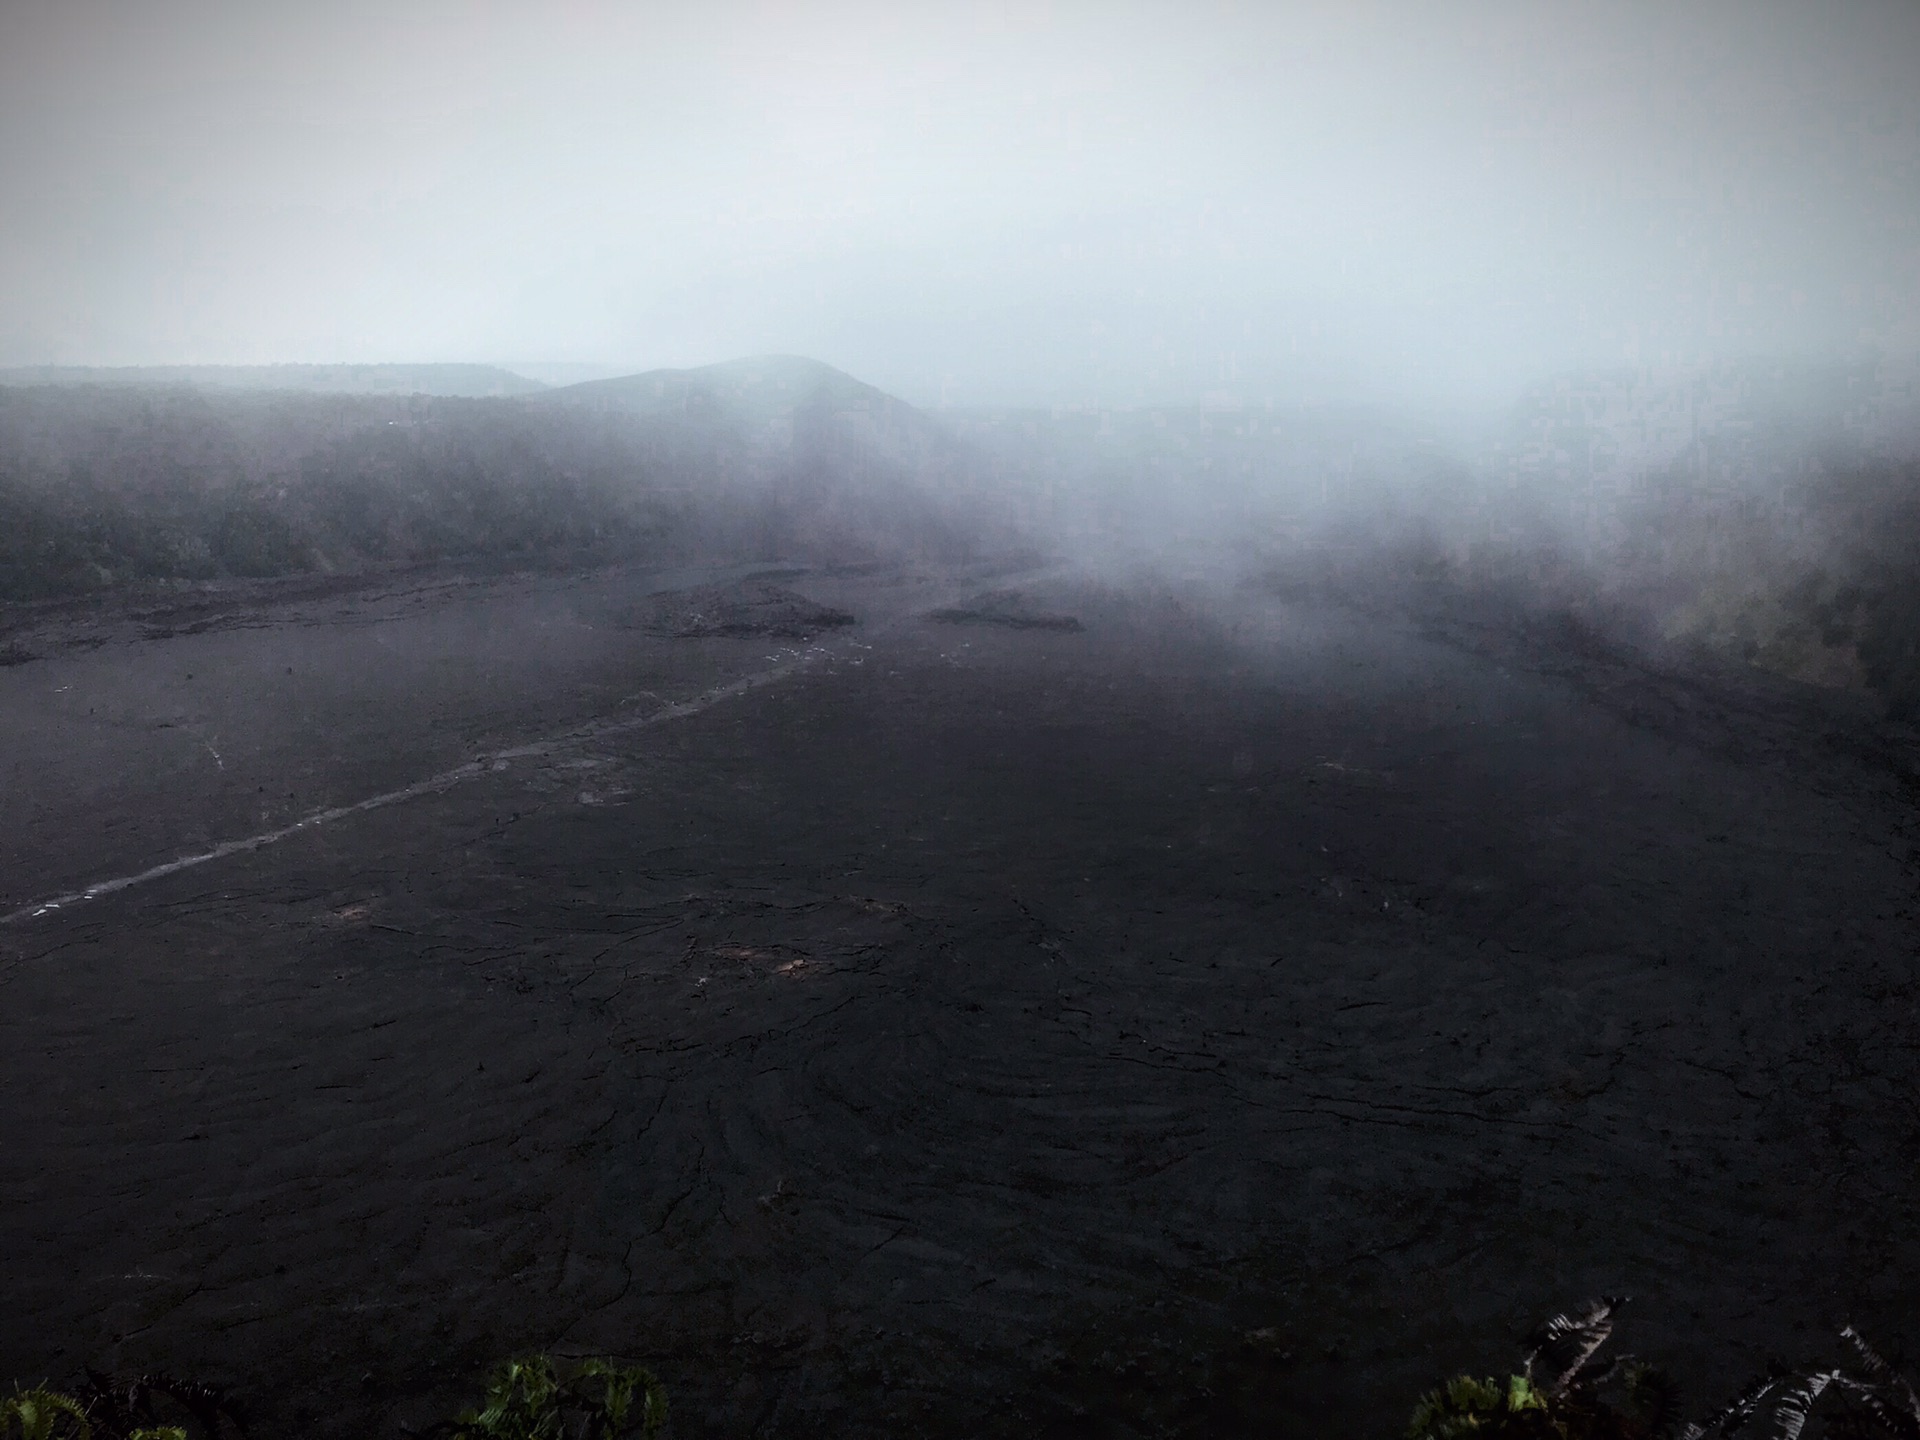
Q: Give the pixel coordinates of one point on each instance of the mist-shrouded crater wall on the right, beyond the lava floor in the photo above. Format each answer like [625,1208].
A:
[1762,514]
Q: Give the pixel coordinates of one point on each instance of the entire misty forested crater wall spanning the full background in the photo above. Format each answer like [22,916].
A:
[1775,533]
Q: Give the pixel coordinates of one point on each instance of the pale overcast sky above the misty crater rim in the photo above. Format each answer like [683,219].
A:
[974,203]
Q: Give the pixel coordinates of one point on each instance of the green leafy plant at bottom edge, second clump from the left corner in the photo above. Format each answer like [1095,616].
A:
[533,1401]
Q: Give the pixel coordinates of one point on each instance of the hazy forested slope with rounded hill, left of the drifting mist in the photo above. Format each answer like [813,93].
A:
[756,462]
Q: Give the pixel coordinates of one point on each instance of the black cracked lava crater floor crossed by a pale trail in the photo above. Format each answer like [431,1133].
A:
[1222,1020]
